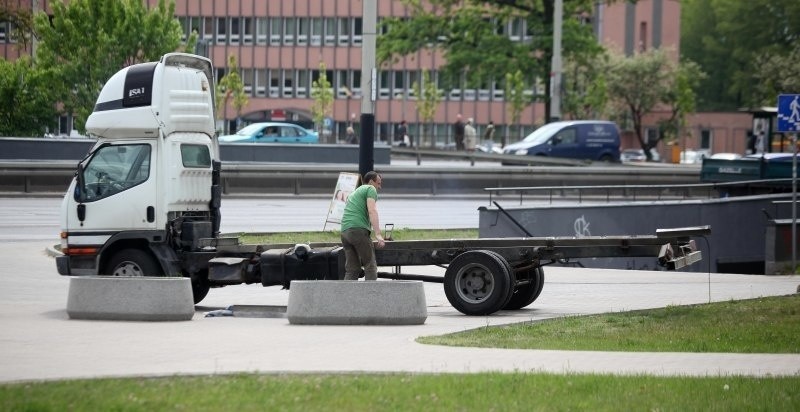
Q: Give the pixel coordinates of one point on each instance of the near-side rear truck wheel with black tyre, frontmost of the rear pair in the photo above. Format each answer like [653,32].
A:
[477,283]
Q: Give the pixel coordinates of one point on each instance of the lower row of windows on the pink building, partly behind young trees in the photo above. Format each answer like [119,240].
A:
[346,84]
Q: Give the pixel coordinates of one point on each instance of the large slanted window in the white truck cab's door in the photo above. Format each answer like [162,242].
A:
[115,168]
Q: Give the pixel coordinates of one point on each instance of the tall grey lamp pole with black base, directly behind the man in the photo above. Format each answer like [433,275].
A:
[369,88]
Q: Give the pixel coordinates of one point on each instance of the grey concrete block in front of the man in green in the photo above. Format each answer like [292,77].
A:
[342,302]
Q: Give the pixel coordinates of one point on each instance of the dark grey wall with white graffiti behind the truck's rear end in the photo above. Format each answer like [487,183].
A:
[736,243]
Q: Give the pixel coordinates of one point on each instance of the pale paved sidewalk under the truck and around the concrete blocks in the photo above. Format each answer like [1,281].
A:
[38,340]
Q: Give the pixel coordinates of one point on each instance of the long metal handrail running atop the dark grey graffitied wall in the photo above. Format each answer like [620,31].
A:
[685,189]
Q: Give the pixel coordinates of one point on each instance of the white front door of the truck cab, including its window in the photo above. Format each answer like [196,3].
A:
[116,189]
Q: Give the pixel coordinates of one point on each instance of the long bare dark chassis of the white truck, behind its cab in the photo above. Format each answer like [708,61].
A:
[482,276]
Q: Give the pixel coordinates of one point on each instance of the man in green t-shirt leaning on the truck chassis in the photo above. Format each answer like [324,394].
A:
[359,220]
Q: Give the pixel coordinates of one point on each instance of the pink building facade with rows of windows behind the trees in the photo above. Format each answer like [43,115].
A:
[279,46]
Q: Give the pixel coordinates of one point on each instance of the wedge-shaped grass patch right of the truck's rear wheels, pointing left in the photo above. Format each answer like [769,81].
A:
[763,325]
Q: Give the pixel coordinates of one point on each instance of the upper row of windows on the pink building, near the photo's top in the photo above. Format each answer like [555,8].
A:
[300,31]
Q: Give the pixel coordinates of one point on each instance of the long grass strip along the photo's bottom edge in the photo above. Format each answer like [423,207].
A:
[407,392]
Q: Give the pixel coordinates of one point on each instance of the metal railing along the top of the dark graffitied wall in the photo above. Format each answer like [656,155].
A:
[639,192]
